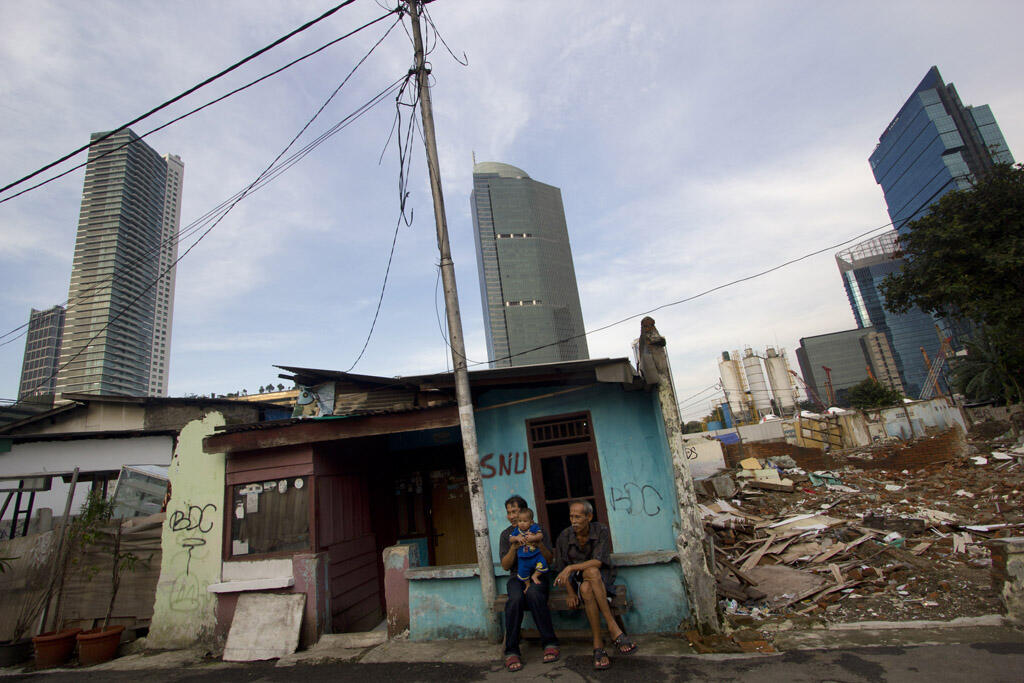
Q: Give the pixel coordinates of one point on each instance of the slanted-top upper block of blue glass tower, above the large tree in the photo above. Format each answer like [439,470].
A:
[935,145]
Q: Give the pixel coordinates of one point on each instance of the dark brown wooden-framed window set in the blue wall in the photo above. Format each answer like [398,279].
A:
[565,466]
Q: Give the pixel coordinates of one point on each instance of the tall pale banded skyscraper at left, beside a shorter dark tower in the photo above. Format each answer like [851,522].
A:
[117,328]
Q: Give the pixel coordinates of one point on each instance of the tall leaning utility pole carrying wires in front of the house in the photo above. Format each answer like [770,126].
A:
[467,421]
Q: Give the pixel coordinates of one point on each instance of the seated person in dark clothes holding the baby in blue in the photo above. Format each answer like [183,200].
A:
[536,600]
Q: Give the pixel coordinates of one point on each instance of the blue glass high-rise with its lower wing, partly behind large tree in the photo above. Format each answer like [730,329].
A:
[934,146]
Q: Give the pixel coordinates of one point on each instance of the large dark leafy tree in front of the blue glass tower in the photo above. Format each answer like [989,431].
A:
[965,262]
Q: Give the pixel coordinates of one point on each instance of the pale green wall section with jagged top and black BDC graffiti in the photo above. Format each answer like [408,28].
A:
[185,612]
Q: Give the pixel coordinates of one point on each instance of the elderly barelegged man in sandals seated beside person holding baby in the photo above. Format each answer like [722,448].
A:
[583,561]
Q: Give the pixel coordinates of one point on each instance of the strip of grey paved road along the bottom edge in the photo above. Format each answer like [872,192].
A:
[989,663]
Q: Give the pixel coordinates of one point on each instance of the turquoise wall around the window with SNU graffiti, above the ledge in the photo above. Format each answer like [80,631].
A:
[636,468]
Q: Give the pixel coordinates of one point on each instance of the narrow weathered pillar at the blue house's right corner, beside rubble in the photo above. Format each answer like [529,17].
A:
[692,542]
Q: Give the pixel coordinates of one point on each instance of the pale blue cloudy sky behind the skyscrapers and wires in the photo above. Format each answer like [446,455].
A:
[695,144]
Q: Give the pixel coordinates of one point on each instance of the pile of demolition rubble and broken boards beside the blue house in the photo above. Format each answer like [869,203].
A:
[857,543]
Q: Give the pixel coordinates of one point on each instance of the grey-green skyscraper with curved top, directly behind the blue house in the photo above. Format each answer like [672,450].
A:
[528,284]
